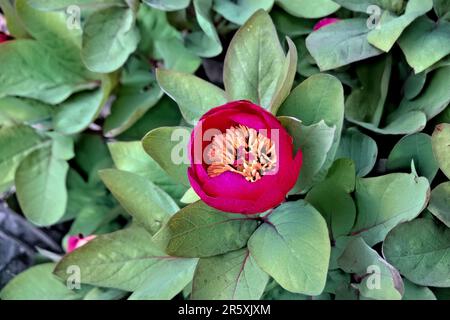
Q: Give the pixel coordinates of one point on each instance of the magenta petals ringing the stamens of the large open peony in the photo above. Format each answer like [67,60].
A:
[230,191]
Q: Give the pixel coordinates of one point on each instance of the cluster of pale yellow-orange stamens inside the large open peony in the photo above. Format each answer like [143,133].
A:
[241,150]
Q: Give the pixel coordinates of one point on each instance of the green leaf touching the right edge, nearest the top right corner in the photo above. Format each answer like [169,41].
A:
[425,42]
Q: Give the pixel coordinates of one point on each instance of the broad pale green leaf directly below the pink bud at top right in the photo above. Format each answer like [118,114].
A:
[340,44]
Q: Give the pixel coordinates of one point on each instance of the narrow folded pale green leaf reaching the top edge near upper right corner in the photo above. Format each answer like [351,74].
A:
[391,26]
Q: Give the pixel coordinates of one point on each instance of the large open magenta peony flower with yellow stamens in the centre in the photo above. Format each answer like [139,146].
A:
[242,159]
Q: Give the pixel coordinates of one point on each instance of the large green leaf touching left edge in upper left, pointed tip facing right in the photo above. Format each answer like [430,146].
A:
[31,70]
